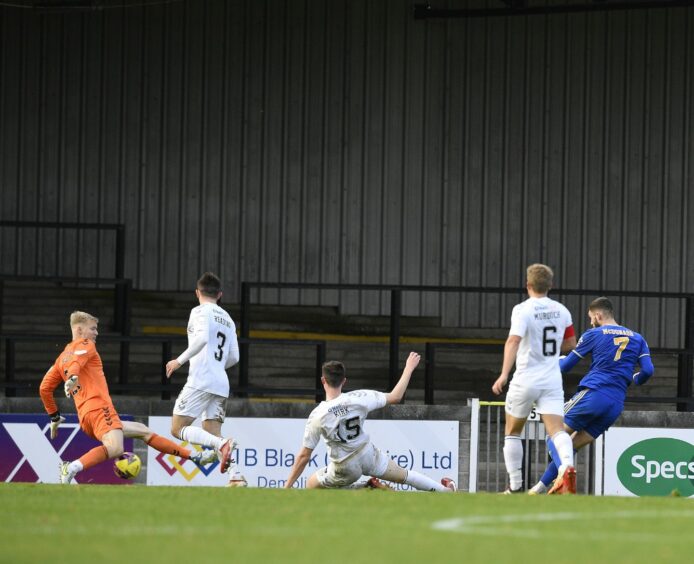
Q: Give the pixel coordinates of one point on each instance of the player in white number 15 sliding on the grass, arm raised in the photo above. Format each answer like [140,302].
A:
[340,421]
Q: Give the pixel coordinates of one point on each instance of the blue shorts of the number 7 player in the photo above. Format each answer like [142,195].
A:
[591,411]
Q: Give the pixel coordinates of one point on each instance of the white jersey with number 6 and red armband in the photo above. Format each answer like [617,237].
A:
[541,324]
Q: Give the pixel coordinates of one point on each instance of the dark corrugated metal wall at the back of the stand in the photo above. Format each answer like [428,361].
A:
[347,142]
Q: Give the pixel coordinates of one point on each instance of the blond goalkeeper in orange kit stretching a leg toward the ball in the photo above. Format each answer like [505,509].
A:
[81,372]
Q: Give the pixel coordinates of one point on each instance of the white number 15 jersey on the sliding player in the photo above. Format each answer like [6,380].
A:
[341,423]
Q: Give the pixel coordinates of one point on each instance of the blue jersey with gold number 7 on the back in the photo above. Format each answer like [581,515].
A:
[616,352]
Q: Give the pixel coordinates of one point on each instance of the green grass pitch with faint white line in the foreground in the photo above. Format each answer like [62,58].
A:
[50,523]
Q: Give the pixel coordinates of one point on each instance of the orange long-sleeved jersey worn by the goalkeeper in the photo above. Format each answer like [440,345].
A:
[80,358]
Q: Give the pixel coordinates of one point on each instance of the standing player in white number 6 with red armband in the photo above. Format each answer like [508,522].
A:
[541,329]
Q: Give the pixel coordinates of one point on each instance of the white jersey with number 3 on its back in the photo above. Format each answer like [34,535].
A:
[212,348]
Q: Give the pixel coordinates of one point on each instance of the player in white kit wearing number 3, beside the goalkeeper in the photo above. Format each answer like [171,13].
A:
[212,348]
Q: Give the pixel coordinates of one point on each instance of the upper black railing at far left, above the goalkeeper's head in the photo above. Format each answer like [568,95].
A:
[122,286]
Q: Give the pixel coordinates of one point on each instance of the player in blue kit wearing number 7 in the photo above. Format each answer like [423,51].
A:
[616,351]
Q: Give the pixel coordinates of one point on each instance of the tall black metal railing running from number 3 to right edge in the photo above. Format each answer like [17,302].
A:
[685,363]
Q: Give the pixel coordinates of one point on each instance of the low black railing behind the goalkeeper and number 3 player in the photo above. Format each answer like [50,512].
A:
[165,386]
